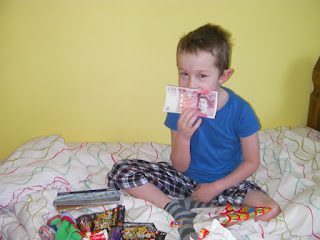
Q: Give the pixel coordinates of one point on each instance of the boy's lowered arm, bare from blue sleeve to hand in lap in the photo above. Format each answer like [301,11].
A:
[251,159]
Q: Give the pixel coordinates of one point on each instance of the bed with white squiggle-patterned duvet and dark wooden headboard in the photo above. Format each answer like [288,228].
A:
[289,172]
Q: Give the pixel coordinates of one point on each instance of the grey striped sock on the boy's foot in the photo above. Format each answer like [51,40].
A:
[179,213]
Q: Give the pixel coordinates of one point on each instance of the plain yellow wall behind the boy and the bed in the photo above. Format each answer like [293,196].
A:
[96,70]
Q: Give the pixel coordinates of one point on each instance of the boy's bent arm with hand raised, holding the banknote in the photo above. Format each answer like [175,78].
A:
[188,123]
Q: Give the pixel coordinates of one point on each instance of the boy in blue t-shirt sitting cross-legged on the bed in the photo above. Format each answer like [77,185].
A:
[211,158]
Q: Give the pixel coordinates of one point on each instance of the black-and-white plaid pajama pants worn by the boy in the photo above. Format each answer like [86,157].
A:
[134,173]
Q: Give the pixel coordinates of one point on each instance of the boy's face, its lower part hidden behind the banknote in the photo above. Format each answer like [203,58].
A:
[198,71]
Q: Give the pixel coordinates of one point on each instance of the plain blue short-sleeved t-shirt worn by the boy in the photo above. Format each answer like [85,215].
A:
[215,147]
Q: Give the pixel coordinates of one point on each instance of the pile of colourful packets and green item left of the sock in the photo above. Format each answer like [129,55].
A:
[107,225]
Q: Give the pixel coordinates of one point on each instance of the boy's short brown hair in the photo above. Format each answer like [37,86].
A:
[209,38]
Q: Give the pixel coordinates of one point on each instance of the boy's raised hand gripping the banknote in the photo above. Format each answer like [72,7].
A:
[189,122]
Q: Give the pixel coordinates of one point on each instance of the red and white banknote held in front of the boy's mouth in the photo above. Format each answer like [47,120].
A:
[178,99]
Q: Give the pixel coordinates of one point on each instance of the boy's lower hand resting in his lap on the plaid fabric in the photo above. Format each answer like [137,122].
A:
[205,192]
